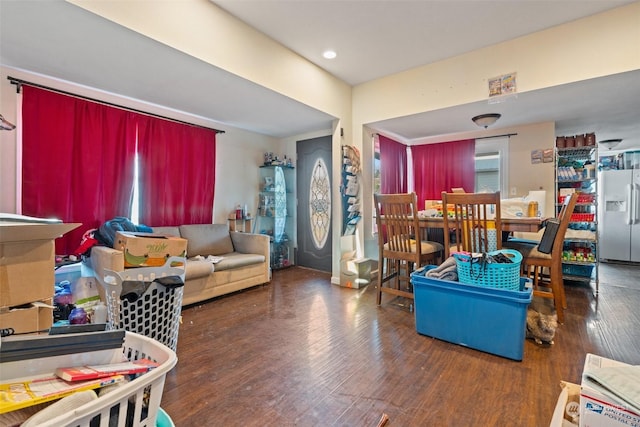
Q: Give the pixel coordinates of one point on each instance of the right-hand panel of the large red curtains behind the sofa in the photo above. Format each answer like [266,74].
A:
[177,174]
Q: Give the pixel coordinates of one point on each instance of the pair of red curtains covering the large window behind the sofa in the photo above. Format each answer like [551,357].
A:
[79,156]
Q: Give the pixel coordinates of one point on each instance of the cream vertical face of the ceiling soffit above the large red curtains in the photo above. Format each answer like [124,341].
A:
[204,31]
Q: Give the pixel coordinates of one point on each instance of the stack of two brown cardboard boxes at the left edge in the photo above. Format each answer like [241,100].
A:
[27,264]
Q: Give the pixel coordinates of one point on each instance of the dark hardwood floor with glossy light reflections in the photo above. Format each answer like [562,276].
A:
[303,352]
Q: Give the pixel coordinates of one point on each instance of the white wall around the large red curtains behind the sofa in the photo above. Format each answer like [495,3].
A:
[238,154]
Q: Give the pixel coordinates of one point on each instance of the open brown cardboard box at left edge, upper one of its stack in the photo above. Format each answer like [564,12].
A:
[27,261]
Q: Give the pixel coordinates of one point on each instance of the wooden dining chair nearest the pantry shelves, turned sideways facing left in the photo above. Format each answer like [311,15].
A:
[546,268]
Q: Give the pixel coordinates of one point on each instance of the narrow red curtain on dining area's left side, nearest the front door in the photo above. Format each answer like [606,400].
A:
[393,166]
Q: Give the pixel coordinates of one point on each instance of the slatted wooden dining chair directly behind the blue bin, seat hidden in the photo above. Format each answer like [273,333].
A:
[474,222]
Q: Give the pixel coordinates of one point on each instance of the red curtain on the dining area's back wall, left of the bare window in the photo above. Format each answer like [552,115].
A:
[440,167]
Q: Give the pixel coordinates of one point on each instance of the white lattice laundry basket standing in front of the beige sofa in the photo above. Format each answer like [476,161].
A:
[156,312]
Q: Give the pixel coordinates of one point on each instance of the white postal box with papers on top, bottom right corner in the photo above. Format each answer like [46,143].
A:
[599,407]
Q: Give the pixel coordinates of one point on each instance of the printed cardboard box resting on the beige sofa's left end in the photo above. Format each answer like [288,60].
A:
[148,249]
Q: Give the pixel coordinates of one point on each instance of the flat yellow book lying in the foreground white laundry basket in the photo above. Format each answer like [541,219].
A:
[44,388]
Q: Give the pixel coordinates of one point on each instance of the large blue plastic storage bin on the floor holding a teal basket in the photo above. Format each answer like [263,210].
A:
[486,319]
